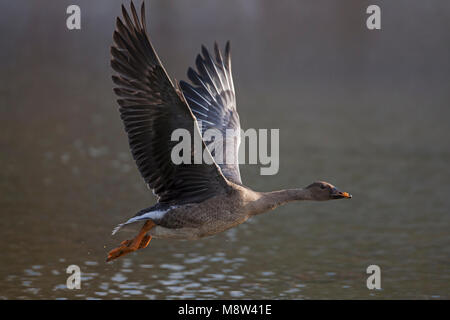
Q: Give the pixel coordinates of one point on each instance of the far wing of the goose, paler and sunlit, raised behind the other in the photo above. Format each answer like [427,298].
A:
[212,99]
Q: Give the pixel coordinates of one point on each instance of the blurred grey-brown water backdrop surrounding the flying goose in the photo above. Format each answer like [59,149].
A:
[365,110]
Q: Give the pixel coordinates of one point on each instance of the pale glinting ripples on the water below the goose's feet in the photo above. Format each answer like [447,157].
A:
[185,278]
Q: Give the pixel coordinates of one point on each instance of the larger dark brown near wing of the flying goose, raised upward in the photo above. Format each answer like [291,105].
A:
[151,109]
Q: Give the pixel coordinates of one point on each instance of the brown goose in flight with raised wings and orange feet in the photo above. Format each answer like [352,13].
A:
[193,200]
